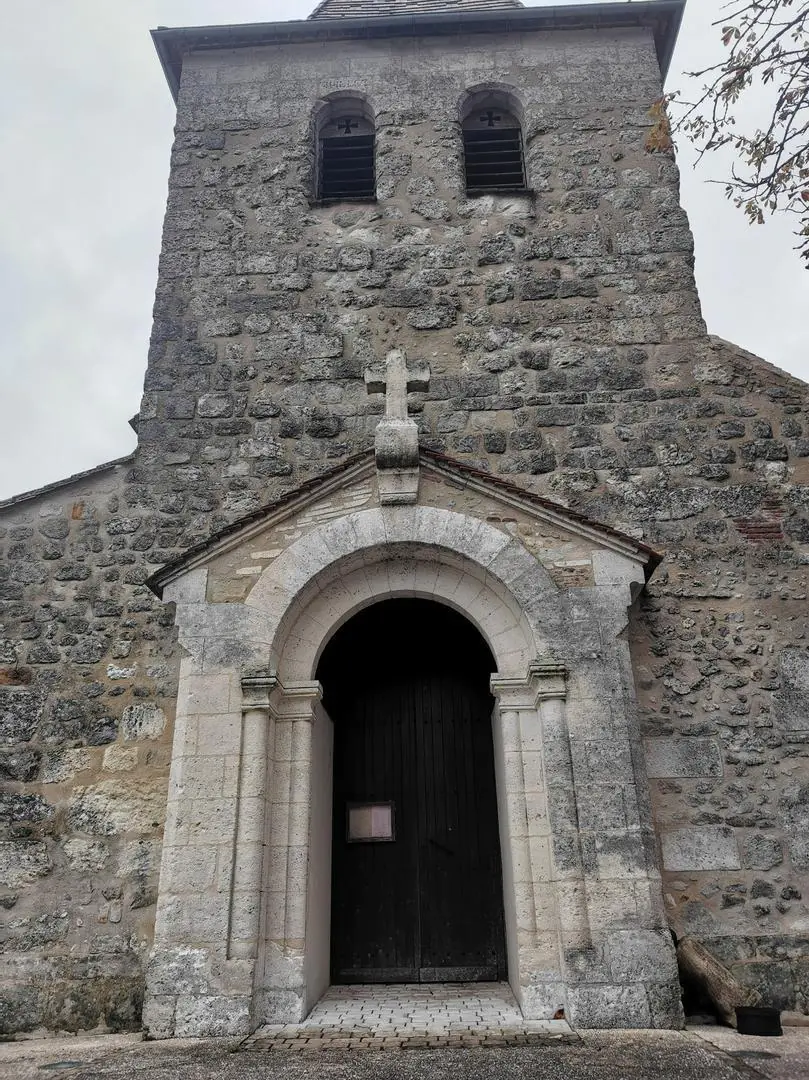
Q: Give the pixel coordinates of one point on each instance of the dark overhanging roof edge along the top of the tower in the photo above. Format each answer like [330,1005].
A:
[663,17]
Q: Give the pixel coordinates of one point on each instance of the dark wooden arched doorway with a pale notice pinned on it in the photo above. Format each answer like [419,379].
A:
[417,883]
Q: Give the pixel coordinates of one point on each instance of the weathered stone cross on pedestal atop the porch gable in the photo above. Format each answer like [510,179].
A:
[397,435]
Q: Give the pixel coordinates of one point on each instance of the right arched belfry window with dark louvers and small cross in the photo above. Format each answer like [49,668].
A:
[493,152]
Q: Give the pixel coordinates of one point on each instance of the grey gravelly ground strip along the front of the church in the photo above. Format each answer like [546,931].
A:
[714,1054]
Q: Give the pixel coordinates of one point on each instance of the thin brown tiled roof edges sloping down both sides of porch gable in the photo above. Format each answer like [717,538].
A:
[158,580]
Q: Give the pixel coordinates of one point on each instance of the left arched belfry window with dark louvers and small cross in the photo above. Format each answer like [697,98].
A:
[347,158]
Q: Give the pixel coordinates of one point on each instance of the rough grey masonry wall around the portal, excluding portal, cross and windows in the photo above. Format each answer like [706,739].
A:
[568,353]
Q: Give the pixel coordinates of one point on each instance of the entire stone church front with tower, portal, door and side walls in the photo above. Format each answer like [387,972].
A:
[449,623]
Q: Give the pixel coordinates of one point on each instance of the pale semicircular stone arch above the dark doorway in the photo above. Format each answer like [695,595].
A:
[330,574]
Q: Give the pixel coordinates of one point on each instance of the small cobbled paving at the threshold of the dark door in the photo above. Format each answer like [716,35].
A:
[395,1018]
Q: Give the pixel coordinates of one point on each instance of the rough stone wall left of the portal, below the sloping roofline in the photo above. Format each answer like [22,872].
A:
[87,697]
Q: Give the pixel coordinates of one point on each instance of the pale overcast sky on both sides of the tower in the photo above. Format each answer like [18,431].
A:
[86,130]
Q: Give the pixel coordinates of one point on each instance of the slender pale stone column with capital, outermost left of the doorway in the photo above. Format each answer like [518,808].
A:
[254,766]
